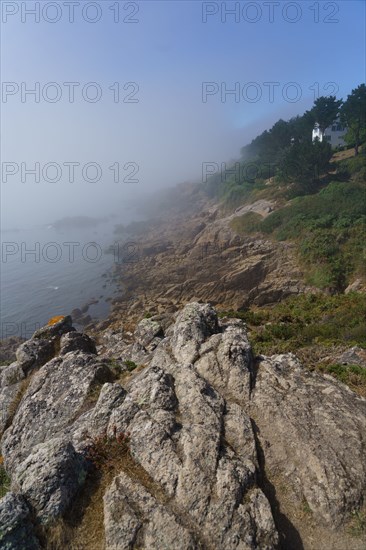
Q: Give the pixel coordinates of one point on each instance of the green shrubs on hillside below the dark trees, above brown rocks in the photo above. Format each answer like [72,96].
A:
[329,228]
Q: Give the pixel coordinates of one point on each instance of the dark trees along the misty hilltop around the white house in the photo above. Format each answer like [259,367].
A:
[287,152]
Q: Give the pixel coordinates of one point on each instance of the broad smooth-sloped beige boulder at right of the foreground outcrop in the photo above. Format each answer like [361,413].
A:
[314,431]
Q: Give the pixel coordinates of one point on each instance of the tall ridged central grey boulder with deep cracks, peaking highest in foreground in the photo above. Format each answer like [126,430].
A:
[197,448]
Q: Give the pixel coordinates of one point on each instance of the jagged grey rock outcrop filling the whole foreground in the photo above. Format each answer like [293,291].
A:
[183,441]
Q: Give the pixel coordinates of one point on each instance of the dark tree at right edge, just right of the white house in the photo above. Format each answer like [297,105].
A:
[353,115]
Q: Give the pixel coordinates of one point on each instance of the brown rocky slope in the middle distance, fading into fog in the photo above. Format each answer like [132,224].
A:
[201,257]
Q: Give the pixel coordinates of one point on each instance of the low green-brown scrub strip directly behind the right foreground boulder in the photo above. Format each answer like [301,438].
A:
[314,326]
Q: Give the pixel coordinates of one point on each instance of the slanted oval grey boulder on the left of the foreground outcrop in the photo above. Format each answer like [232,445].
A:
[57,394]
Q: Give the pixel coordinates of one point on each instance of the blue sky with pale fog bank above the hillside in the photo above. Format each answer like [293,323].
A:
[132,97]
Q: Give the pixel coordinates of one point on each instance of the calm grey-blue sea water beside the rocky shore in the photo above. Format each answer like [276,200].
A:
[66,270]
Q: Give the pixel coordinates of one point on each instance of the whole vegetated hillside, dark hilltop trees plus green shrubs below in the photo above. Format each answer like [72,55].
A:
[320,204]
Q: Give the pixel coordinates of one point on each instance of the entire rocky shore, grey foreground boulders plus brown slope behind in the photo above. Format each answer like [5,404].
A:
[158,428]
